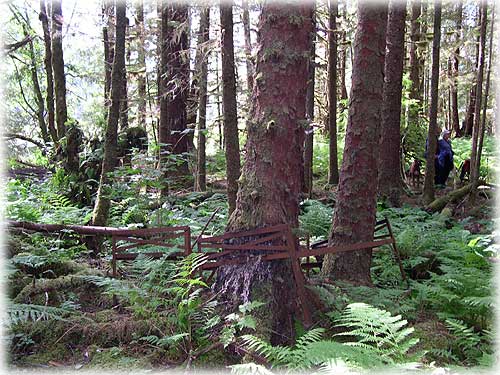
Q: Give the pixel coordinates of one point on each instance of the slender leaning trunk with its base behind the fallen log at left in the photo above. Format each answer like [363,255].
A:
[102,205]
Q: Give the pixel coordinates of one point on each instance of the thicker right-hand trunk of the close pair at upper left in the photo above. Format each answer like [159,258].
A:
[58,68]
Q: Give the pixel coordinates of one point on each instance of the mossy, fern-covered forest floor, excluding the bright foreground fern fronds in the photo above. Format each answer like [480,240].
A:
[66,312]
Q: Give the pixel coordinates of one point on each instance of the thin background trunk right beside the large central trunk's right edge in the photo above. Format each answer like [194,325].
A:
[309,142]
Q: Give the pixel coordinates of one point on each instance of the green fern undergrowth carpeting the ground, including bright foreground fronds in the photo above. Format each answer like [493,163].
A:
[64,310]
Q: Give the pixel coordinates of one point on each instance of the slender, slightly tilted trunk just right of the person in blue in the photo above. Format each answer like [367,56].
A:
[479,91]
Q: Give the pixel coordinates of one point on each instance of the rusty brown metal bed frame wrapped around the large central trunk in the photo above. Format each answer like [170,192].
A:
[273,243]
